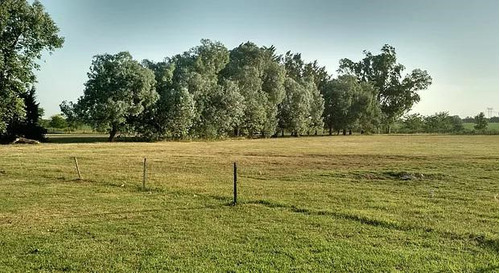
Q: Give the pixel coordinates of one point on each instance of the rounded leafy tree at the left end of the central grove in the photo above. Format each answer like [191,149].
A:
[118,90]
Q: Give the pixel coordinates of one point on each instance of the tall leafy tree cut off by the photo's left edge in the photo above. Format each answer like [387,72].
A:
[25,31]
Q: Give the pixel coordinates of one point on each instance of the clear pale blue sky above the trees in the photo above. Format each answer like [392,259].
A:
[456,41]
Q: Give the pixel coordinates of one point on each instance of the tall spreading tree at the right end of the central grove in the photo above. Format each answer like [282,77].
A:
[396,93]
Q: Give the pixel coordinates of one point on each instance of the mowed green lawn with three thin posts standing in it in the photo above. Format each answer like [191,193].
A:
[314,204]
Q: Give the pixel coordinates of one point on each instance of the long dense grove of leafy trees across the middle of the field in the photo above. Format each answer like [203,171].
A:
[211,91]
